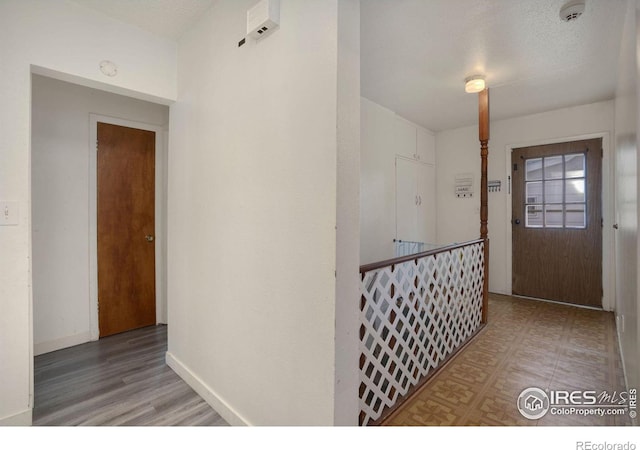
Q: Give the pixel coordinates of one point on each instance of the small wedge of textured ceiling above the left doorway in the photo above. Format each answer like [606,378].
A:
[167,18]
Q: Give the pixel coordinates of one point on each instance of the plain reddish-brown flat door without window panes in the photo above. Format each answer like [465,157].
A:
[126,242]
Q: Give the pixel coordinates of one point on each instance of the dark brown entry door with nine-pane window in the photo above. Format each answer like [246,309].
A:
[557,222]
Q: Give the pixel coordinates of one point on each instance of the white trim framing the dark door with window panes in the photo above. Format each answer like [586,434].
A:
[608,255]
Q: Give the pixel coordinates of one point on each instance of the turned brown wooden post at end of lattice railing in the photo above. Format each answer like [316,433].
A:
[483,122]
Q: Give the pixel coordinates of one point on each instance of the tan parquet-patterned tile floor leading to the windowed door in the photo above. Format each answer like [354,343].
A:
[526,343]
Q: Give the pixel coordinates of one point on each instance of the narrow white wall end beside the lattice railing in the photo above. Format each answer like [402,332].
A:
[346,406]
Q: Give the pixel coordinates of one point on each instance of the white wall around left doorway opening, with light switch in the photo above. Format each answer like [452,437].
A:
[64,39]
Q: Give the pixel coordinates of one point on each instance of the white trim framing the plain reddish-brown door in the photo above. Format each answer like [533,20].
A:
[160,236]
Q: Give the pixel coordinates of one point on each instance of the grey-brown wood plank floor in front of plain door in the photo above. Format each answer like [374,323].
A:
[118,380]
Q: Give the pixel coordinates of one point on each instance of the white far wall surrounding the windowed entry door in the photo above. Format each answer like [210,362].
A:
[458,151]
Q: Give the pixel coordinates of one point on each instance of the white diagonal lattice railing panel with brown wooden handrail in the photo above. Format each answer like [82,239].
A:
[415,312]
